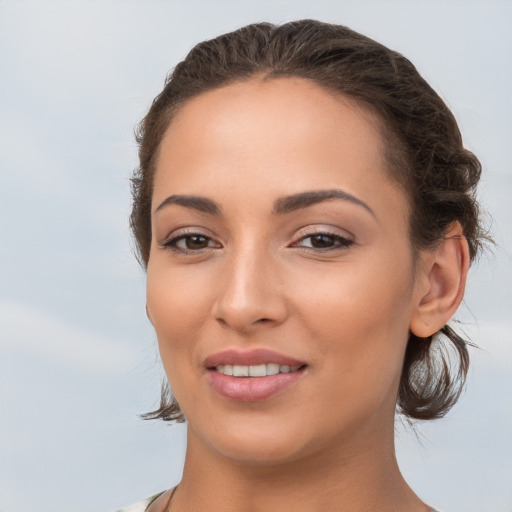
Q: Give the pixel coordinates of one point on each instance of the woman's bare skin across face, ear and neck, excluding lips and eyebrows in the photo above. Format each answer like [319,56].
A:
[258,279]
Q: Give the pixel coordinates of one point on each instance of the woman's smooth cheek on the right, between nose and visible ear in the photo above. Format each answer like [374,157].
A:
[359,315]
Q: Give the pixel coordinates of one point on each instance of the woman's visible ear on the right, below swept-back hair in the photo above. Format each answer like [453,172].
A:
[440,283]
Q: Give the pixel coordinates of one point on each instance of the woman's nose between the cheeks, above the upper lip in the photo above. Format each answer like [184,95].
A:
[251,293]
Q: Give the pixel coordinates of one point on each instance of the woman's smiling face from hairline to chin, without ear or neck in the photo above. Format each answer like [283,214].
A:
[280,244]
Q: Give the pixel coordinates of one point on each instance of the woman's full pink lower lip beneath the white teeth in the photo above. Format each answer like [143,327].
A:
[252,389]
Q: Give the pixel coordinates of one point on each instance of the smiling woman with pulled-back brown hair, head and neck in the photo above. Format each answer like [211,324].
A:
[305,211]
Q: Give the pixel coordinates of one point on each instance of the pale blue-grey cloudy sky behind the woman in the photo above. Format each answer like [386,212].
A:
[78,359]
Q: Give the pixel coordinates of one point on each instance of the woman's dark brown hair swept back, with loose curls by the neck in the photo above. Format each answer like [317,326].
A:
[425,154]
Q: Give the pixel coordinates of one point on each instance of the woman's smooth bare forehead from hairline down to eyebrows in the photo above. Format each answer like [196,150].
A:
[283,135]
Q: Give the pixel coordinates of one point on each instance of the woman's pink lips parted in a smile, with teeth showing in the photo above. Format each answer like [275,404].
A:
[252,376]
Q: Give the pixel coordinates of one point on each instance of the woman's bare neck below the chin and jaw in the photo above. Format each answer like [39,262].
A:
[357,476]
